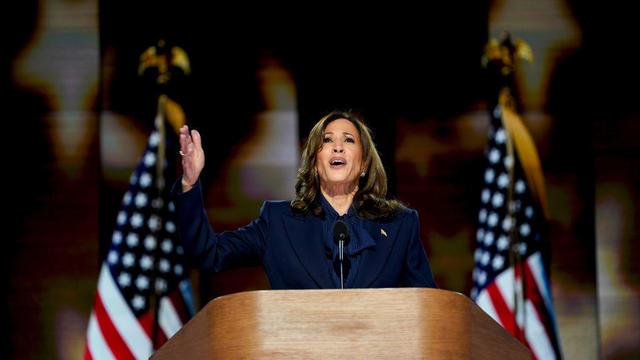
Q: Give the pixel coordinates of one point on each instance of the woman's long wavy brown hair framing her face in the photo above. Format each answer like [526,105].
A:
[370,200]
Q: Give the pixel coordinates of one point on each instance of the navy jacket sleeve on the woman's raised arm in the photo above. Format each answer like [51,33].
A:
[213,251]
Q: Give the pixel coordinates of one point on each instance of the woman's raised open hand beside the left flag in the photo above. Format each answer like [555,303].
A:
[192,157]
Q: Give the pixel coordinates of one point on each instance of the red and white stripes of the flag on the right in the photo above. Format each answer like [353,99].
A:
[498,300]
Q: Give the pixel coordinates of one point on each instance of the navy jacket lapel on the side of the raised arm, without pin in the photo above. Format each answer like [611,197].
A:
[305,236]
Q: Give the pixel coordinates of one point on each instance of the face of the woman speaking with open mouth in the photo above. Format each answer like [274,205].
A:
[339,161]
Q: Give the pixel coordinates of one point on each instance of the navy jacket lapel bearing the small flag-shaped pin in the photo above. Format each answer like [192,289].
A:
[374,260]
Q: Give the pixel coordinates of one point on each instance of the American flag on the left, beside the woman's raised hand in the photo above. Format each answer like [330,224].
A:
[143,276]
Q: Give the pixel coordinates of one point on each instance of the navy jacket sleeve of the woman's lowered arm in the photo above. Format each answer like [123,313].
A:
[417,271]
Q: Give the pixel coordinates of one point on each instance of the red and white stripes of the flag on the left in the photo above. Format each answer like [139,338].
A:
[114,332]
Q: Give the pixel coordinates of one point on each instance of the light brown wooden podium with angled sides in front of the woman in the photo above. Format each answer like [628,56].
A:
[406,323]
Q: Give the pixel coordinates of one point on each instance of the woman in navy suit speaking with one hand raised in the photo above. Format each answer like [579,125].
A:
[340,230]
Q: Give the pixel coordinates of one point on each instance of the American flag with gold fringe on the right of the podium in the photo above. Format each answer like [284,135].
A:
[509,277]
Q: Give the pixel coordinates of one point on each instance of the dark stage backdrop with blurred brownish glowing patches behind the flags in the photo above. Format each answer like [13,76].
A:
[79,114]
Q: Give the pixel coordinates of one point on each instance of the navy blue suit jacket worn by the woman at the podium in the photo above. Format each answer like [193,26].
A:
[290,248]
